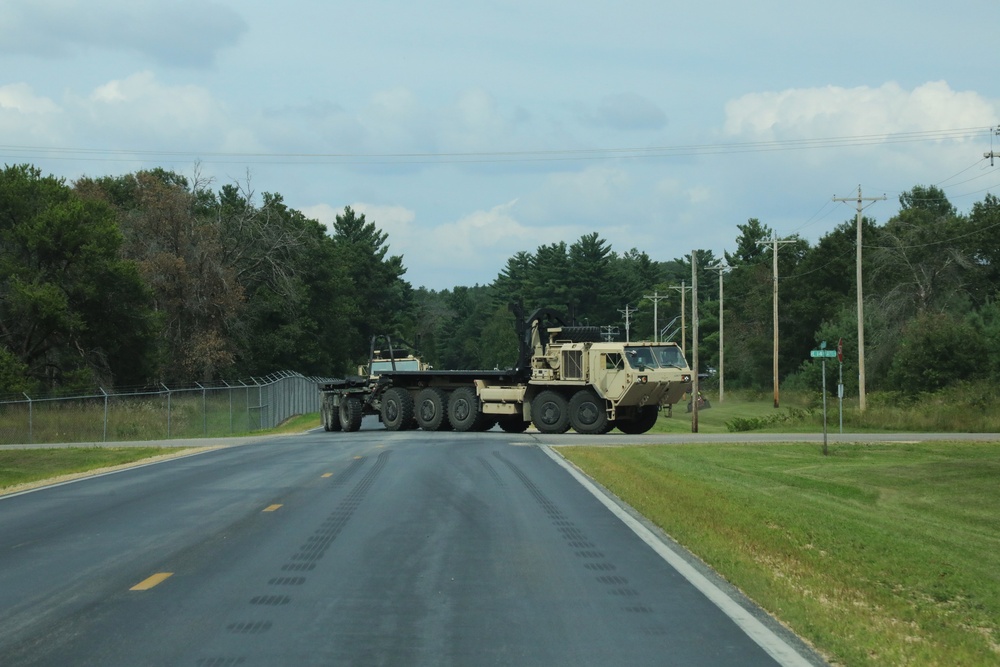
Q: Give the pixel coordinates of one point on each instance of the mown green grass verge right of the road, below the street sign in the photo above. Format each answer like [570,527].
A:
[877,554]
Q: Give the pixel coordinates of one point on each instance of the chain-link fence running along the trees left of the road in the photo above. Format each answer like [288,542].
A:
[189,412]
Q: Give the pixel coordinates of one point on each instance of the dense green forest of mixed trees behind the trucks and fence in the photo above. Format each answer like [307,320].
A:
[154,278]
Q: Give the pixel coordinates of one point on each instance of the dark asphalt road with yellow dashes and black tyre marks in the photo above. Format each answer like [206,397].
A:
[367,548]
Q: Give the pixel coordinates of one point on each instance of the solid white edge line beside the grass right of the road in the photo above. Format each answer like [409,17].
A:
[774,645]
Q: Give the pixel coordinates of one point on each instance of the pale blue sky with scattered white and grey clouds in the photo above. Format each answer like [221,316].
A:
[471,131]
